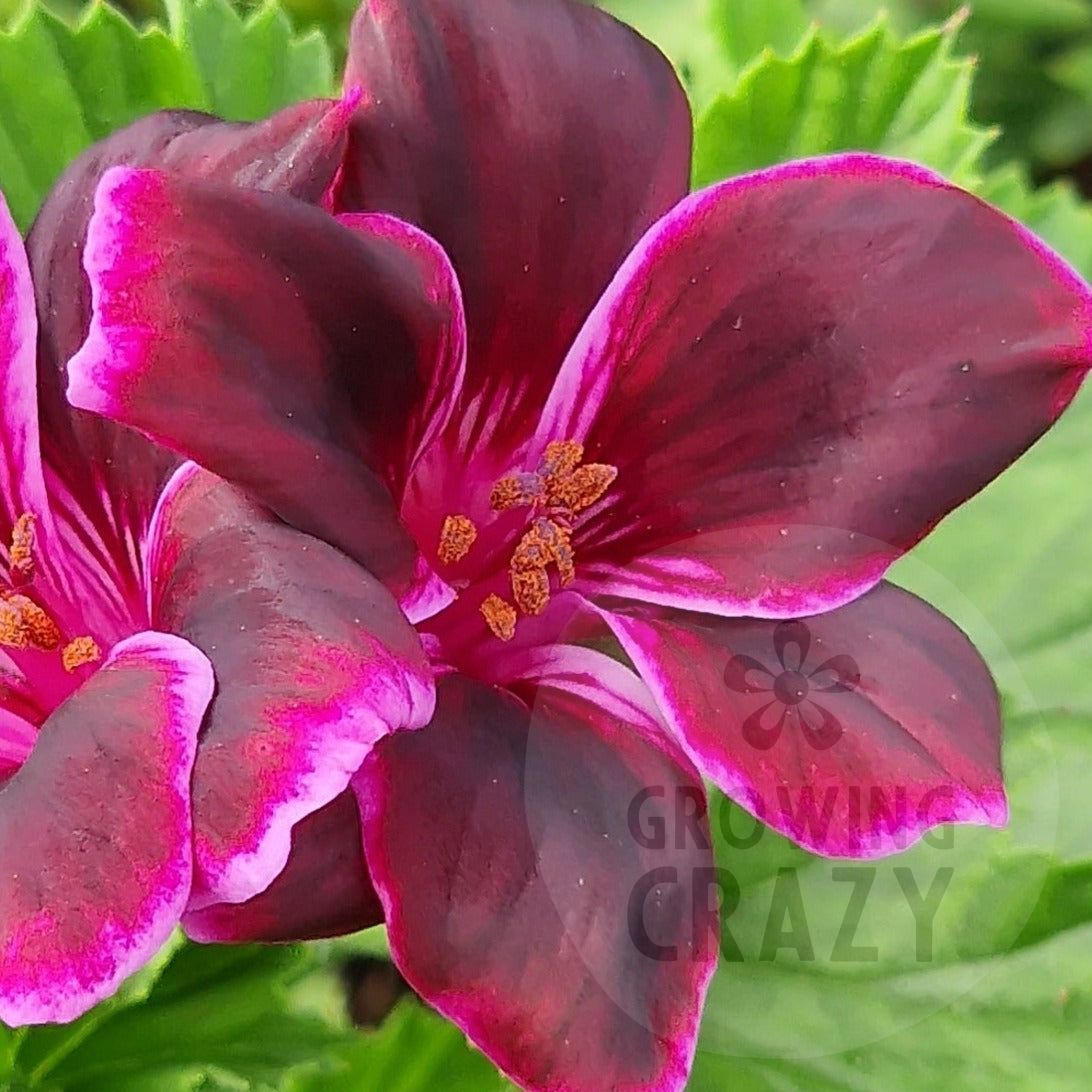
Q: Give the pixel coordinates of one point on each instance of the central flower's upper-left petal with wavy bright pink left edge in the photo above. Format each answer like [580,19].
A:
[277,347]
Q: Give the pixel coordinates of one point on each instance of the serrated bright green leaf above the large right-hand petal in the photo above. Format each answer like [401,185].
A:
[875,92]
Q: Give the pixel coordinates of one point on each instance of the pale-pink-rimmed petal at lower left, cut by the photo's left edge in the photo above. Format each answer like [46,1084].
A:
[96,859]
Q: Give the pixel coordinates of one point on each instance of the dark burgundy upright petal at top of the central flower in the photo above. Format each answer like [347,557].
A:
[536,143]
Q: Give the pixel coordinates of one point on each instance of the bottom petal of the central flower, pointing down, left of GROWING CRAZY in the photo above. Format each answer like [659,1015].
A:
[556,907]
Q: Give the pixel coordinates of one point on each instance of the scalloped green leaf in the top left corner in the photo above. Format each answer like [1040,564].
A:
[65,86]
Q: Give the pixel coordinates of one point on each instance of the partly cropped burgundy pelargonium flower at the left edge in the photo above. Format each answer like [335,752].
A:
[128,791]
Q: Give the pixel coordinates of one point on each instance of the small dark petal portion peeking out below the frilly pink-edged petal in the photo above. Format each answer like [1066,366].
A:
[324,892]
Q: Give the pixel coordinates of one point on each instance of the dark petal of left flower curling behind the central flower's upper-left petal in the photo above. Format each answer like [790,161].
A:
[105,469]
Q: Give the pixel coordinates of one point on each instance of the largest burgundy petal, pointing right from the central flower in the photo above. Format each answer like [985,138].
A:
[800,372]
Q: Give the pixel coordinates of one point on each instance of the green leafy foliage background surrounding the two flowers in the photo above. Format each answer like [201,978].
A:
[1001,993]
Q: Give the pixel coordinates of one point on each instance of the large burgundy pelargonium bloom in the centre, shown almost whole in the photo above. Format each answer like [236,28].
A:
[660,420]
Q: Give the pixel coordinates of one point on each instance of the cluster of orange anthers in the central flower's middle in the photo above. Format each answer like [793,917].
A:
[561,489]
